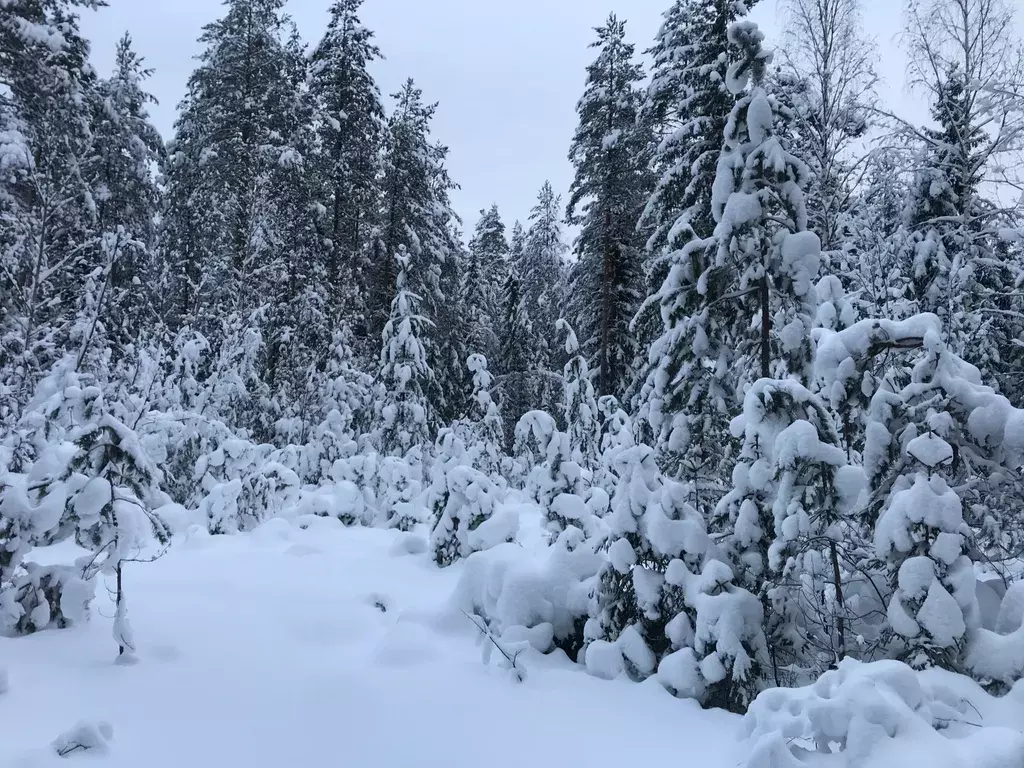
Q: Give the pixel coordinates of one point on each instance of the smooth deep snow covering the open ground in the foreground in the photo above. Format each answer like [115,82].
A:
[306,644]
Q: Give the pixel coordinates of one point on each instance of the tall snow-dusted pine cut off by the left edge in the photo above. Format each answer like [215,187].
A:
[48,238]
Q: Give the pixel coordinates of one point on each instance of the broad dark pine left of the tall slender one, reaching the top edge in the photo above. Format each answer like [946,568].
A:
[232,136]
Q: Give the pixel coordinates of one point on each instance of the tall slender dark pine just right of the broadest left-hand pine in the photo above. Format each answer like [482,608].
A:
[351,136]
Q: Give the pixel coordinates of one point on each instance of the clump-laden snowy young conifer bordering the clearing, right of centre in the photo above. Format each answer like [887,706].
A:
[665,603]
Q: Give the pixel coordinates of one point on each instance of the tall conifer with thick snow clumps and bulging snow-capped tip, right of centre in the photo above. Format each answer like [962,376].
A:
[749,314]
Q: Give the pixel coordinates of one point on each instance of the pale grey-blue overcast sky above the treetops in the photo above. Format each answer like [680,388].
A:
[506,73]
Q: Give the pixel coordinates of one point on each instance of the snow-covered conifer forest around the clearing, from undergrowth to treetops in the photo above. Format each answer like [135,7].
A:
[760,368]
